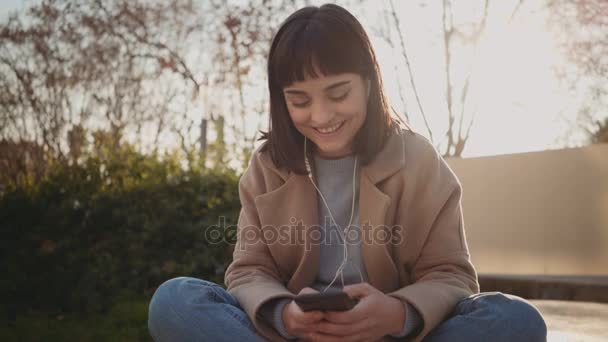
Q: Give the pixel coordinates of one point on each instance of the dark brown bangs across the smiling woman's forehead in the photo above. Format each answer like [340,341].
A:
[312,43]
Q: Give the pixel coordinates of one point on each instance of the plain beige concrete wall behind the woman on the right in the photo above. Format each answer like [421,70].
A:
[543,213]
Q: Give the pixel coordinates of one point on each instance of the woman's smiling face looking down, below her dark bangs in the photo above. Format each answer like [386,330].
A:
[329,110]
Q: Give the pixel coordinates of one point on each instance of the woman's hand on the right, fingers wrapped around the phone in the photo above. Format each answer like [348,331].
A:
[375,316]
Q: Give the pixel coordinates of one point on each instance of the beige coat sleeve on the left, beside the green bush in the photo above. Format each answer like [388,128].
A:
[252,277]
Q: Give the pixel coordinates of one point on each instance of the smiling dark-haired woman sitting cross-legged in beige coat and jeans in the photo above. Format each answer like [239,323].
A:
[342,194]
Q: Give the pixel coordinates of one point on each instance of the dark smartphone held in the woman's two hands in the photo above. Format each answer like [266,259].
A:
[330,300]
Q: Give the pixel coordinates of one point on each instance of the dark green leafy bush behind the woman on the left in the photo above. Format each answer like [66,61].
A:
[114,224]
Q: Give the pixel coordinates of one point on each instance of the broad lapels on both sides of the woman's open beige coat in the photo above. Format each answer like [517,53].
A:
[296,201]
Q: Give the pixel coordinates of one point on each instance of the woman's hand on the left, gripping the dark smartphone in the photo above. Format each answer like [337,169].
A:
[299,323]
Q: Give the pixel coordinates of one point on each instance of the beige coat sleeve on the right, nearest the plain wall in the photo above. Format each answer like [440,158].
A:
[443,273]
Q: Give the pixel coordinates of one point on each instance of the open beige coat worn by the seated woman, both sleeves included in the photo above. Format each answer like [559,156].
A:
[407,189]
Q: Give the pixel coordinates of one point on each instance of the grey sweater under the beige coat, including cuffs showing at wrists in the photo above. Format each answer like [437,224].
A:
[334,178]
